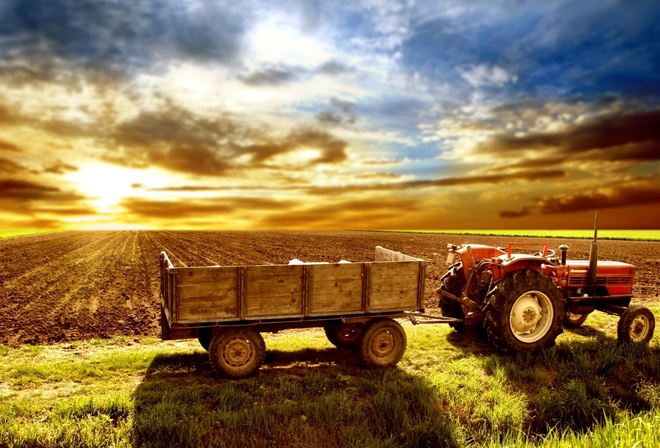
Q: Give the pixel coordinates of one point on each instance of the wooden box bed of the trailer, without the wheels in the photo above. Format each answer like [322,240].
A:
[197,297]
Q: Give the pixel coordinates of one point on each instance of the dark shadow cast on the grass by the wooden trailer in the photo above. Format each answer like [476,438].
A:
[315,397]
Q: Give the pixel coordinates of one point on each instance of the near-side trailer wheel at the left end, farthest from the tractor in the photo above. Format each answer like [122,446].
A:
[237,353]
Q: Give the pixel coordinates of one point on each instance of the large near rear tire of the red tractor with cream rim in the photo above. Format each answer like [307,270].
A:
[525,313]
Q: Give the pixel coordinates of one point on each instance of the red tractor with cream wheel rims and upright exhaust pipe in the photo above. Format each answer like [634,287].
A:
[522,301]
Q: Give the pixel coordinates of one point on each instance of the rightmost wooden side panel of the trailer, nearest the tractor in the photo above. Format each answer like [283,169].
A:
[394,286]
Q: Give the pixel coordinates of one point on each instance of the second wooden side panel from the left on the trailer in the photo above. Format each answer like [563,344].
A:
[273,290]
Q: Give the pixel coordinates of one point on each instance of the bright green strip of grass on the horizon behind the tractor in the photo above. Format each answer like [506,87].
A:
[637,235]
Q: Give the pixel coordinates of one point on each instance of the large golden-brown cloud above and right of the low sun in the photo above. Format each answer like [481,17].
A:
[179,140]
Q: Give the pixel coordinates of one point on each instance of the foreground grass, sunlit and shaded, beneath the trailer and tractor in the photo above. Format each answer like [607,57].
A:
[449,390]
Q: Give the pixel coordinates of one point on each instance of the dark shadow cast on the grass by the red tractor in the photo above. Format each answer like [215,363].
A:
[576,385]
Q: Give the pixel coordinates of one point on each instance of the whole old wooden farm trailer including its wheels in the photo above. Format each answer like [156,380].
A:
[227,307]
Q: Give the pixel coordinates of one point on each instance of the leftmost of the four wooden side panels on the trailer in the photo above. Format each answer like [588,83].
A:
[205,294]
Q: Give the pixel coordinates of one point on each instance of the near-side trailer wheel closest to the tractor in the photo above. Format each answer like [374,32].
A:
[383,343]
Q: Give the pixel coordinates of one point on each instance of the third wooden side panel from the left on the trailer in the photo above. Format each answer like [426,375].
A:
[335,288]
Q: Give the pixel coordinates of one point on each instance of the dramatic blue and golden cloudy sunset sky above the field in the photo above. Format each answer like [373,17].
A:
[300,114]
